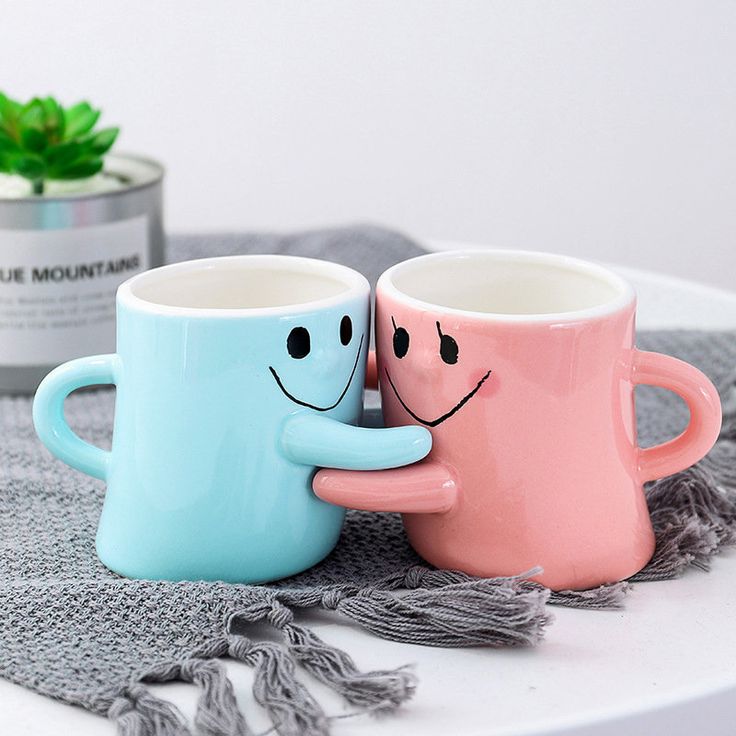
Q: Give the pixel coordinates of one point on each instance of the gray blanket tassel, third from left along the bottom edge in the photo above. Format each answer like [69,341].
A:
[292,709]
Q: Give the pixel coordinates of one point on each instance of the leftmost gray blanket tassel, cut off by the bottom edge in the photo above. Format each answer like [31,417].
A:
[139,713]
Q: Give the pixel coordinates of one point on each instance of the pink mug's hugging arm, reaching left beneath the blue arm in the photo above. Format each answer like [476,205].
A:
[422,488]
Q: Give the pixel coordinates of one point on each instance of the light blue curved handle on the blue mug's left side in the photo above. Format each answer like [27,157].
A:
[48,411]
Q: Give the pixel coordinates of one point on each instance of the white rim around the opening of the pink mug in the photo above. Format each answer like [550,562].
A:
[626,296]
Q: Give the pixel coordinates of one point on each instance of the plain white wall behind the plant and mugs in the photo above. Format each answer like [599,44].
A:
[603,129]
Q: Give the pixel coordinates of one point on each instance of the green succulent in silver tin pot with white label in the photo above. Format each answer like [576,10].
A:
[75,222]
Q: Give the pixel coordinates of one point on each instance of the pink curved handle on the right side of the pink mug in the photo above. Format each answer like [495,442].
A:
[702,399]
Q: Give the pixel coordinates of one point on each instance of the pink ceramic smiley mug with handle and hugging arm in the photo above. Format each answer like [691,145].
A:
[523,367]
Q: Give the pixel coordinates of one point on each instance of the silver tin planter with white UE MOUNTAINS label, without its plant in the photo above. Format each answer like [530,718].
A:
[61,261]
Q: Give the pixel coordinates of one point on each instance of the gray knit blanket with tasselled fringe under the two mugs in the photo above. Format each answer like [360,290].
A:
[72,630]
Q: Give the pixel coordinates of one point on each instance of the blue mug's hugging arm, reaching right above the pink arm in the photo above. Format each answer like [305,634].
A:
[310,439]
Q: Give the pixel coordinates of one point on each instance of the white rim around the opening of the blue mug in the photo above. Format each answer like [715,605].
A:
[353,280]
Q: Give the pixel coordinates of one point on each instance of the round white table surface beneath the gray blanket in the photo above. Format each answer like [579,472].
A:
[666,664]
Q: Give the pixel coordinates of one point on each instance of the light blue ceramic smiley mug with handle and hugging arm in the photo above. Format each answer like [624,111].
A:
[236,377]
